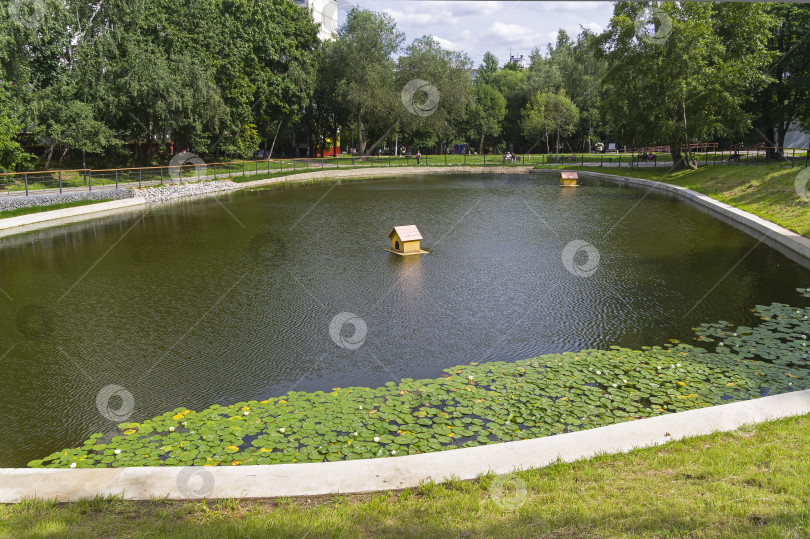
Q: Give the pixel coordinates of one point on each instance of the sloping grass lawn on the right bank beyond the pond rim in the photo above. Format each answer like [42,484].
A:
[764,190]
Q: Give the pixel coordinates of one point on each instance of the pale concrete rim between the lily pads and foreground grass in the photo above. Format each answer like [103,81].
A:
[357,476]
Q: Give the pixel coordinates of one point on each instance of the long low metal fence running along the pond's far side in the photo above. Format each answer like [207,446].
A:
[61,181]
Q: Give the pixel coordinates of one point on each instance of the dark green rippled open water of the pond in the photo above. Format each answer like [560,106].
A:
[230,299]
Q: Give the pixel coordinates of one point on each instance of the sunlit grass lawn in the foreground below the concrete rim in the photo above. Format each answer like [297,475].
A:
[747,483]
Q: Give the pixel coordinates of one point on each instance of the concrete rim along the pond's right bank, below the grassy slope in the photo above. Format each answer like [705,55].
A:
[749,222]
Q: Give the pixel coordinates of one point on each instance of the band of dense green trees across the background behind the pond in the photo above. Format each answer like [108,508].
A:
[134,81]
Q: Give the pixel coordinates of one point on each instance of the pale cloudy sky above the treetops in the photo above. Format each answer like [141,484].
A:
[477,26]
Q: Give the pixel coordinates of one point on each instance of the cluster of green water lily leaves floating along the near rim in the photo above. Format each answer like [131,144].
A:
[471,404]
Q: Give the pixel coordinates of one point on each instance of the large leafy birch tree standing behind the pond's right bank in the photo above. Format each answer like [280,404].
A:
[687,84]
